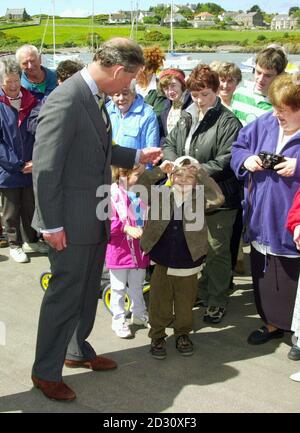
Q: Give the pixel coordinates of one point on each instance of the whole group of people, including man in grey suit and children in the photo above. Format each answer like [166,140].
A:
[195,160]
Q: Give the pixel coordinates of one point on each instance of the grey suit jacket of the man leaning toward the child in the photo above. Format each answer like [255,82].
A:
[71,159]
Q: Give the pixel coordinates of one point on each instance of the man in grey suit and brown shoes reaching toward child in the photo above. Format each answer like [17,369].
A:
[72,158]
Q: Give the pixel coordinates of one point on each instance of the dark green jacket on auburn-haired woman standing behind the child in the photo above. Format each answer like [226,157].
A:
[210,144]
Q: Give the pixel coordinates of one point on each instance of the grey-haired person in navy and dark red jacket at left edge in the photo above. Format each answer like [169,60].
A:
[16,144]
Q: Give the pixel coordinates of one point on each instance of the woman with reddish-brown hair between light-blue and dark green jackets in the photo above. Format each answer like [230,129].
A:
[172,84]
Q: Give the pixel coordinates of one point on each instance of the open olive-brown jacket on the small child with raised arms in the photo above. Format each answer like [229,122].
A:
[159,219]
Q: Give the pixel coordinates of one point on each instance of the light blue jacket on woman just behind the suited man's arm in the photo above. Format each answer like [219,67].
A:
[138,128]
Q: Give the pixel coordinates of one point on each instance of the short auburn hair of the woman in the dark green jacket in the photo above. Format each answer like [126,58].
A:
[203,76]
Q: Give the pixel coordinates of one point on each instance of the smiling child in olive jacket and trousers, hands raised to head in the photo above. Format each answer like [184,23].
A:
[177,242]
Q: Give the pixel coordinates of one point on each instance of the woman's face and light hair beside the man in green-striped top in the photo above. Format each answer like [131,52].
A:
[230,77]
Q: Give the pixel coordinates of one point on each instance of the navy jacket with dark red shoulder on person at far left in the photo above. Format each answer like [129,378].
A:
[16,142]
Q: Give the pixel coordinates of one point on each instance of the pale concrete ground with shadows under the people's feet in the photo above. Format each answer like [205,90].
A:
[224,375]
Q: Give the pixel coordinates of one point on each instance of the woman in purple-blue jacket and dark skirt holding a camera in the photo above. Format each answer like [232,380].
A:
[270,185]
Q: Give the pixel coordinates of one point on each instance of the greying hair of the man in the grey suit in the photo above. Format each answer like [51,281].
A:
[120,51]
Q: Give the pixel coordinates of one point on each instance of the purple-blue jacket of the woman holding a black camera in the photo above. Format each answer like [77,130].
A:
[268,196]
